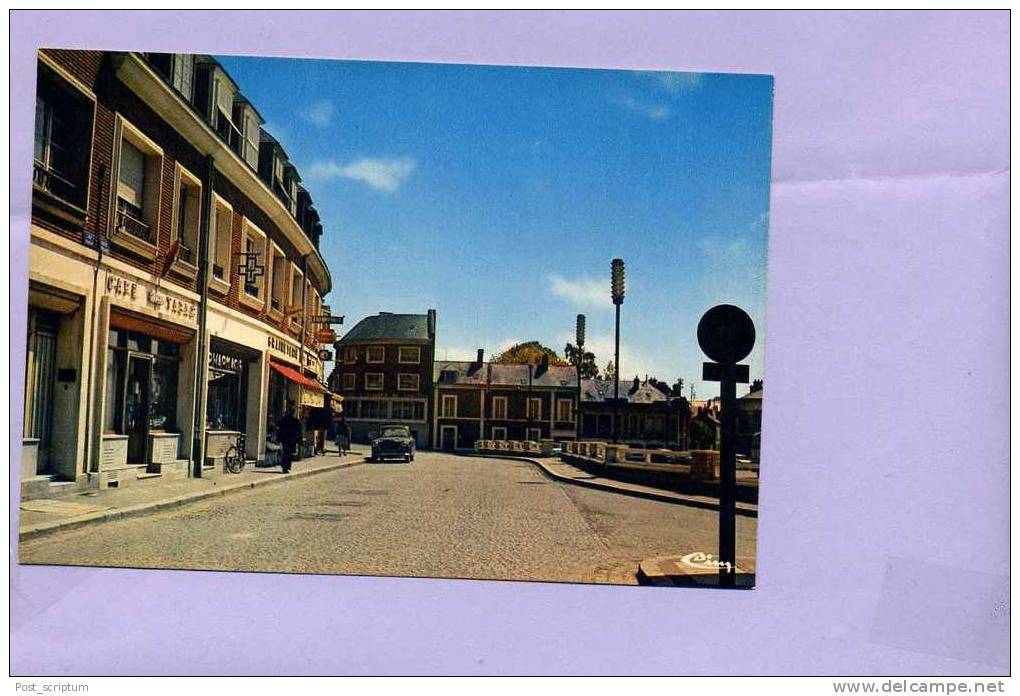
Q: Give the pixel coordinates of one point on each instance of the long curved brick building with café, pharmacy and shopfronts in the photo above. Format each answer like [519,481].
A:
[174,282]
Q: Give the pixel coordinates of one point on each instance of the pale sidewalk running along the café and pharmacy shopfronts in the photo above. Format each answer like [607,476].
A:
[42,517]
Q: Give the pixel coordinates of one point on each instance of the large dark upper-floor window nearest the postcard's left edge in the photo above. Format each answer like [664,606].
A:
[64,140]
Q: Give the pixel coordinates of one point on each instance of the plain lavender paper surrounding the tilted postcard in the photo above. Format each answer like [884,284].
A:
[886,448]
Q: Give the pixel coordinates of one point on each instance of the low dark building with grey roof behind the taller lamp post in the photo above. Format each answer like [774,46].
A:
[647,416]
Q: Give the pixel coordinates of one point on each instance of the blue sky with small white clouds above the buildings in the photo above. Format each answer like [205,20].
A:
[500,195]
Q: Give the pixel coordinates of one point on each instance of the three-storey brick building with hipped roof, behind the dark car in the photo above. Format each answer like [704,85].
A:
[384,372]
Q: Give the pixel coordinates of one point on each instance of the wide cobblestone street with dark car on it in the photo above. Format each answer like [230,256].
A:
[441,516]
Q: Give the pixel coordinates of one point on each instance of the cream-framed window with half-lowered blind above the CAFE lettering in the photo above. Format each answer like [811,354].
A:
[139,173]
